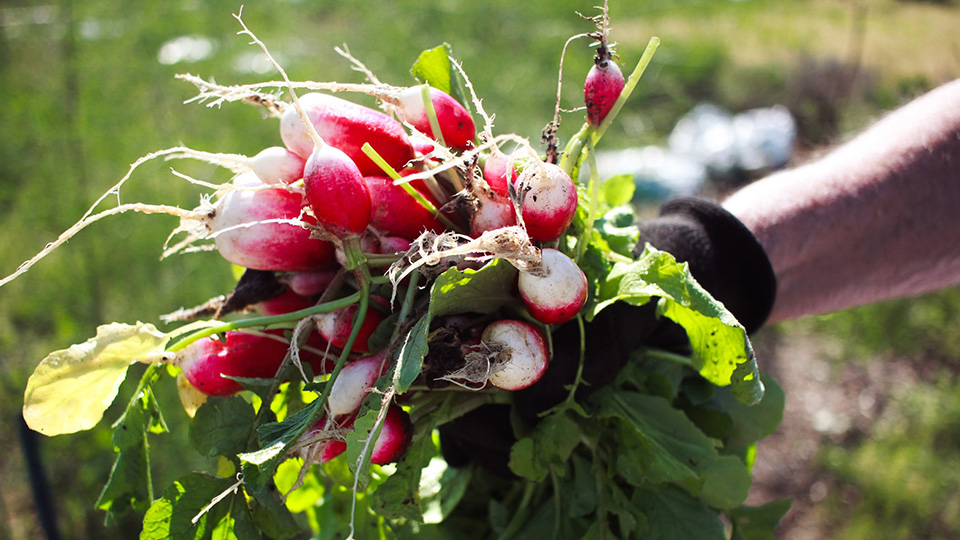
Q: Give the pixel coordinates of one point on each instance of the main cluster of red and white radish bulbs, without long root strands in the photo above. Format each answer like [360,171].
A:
[352,191]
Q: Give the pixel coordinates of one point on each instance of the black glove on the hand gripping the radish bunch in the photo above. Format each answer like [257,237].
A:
[725,259]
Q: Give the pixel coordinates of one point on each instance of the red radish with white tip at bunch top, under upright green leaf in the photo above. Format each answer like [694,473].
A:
[456,124]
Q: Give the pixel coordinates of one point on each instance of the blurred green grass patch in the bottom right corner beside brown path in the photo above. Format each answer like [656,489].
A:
[906,477]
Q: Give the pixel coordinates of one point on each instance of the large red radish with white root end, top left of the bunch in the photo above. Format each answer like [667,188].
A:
[347,126]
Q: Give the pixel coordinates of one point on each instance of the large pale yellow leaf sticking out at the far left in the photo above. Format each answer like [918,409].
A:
[71,388]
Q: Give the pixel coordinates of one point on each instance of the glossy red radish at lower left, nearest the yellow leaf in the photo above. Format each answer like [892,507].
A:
[204,362]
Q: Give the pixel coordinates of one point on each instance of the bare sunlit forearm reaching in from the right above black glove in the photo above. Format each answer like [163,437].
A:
[877,218]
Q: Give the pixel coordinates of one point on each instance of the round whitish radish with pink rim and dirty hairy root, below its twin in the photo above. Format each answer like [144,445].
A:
[525,350]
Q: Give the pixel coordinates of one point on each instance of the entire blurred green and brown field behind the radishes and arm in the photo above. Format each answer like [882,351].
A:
[88,87]
